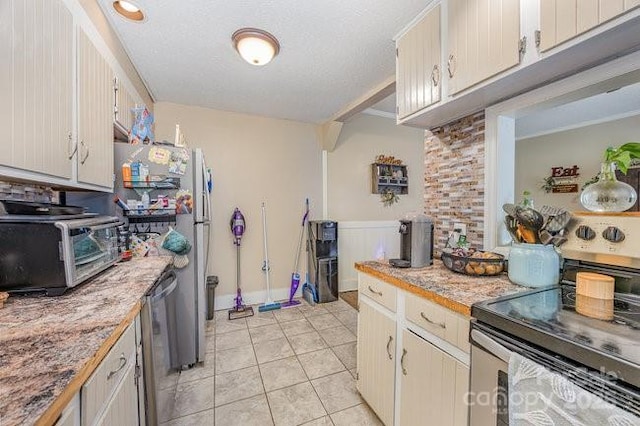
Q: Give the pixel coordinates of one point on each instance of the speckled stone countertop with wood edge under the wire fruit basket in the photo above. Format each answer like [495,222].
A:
[437,283]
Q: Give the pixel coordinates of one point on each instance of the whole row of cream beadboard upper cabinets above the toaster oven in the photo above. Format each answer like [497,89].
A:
[57,92]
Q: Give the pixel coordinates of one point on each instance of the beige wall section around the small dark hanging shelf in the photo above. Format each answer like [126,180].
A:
[349,169]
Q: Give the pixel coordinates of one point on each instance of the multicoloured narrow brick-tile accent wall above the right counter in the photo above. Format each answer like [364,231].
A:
[454,178]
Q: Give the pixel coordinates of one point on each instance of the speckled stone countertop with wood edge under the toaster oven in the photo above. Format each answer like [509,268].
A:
[48,345]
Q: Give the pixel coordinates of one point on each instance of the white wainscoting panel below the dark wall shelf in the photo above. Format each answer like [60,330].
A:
[358,241]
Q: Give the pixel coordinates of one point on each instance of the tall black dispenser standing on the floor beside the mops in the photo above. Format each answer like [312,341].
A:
[322,251]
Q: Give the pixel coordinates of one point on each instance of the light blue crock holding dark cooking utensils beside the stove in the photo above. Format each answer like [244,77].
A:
[534,265]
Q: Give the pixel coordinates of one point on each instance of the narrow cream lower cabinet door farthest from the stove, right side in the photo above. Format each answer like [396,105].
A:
[376,350]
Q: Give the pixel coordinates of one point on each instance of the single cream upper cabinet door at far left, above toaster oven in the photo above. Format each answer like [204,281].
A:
[36,86]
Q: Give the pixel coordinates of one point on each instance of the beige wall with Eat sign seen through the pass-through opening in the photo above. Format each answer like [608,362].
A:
[583,147]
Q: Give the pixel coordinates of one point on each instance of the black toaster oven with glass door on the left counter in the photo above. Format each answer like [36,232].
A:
[53,253]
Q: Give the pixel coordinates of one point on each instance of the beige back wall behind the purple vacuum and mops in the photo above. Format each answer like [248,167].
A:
[253,159]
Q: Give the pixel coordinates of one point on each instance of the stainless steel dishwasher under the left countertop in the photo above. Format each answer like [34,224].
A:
[159,348]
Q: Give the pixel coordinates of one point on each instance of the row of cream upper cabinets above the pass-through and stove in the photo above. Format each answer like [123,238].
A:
[492,50]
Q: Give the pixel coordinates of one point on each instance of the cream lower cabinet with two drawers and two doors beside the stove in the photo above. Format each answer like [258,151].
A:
[413,357]
